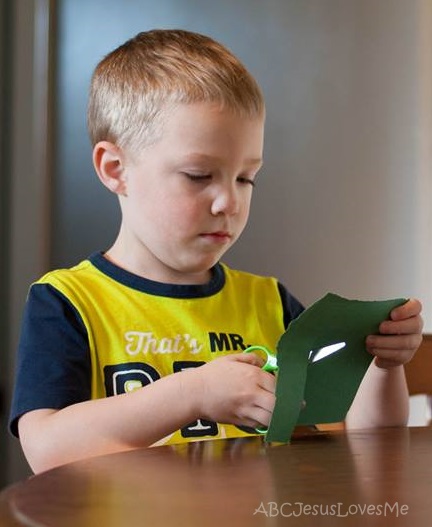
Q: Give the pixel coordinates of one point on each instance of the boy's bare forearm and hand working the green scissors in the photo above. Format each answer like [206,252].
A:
[231,389]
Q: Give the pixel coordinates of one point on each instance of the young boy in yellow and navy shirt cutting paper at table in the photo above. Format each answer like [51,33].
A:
[156,322]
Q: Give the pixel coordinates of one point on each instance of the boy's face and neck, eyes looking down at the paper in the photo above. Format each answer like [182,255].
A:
[187,197]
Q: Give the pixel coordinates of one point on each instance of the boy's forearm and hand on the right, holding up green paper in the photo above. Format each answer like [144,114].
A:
[382,399]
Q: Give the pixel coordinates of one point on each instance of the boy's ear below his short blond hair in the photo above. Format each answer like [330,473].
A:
[108,160]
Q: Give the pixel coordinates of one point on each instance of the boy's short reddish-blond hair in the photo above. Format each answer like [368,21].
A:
[133,85]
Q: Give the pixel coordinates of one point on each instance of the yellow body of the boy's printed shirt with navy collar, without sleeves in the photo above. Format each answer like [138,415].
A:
[139,331]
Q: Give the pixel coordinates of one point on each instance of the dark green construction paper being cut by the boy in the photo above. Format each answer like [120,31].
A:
[328,386]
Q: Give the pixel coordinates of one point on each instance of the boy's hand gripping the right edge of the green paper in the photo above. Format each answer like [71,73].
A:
[399,337]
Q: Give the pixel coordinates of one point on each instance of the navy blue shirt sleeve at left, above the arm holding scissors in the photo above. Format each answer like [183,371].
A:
[53,368]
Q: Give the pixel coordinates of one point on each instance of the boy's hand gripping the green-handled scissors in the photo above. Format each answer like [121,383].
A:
[235,390]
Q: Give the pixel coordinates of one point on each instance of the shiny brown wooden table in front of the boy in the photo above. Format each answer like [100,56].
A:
[381,477]
